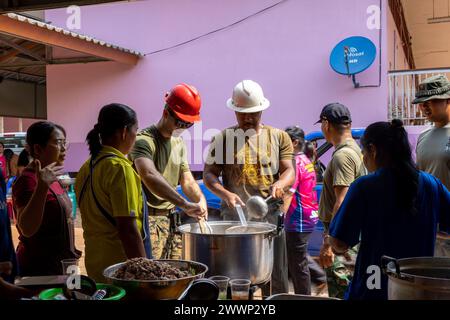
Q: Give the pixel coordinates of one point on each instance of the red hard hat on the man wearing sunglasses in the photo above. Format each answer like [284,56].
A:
[184,100]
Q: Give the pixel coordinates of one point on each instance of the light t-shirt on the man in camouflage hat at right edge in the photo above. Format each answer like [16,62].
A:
[432,154]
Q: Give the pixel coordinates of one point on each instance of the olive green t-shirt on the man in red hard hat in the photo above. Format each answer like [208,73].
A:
[169,157]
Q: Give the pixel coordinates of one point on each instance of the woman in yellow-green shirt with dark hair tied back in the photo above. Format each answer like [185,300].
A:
[109,193]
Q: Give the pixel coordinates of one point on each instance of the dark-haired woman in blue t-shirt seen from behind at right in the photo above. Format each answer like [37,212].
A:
[394,211]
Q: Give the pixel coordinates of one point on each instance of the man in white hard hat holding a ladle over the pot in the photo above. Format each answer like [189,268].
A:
[253,159]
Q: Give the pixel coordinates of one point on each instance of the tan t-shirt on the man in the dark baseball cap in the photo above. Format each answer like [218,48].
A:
[345,167]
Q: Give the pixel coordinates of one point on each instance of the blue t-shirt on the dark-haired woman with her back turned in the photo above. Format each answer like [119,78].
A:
[369,216]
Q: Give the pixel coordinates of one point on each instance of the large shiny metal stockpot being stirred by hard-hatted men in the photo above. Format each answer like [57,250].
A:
[246,255]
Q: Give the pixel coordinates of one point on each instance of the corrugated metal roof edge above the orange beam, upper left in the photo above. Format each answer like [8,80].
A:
[70,33]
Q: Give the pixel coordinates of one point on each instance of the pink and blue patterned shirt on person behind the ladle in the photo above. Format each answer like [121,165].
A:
[302,214]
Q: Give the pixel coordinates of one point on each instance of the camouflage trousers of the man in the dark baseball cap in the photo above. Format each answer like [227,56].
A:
[340,274]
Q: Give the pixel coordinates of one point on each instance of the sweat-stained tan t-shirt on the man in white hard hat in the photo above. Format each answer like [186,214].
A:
[250,164]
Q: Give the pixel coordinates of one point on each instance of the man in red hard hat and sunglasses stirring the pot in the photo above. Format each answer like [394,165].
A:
[160,159]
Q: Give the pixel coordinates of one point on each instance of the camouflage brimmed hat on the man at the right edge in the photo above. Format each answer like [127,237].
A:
[435,87]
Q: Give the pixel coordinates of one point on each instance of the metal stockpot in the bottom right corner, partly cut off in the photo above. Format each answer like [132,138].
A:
[417,278]
